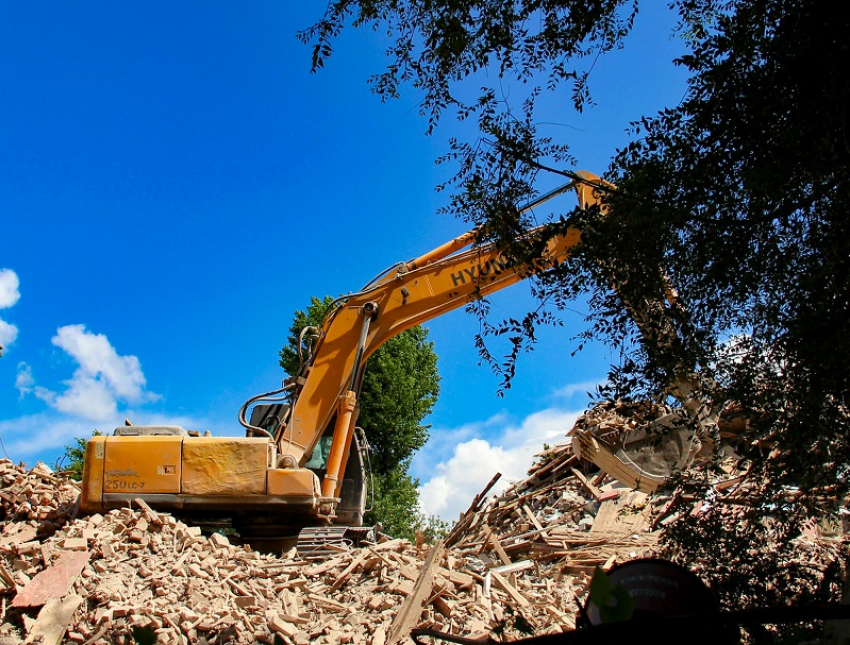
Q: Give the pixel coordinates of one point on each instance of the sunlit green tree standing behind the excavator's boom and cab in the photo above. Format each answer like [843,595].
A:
[400,388]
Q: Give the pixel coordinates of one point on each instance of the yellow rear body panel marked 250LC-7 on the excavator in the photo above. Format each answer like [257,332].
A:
[142,465]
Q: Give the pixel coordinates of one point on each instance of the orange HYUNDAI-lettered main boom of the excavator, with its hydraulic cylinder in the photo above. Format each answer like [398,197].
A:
[413,293]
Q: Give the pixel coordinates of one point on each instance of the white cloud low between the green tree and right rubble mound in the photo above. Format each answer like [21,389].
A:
[471,462]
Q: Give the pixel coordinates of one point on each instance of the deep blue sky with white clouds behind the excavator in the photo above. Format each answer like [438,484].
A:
[174,183]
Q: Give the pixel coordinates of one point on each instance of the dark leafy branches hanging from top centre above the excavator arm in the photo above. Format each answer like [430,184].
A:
[457,56]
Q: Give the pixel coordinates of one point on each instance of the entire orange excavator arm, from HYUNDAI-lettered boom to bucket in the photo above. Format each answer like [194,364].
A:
[442,280]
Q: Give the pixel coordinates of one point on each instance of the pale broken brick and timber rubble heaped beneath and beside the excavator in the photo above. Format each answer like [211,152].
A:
[528,552]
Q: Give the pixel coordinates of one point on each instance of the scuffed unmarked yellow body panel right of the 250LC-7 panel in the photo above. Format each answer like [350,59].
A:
[225,465]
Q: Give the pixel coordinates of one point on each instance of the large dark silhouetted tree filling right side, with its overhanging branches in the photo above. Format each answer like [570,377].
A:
[740,193]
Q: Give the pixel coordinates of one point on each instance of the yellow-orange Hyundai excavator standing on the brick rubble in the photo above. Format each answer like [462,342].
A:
[301,464]
